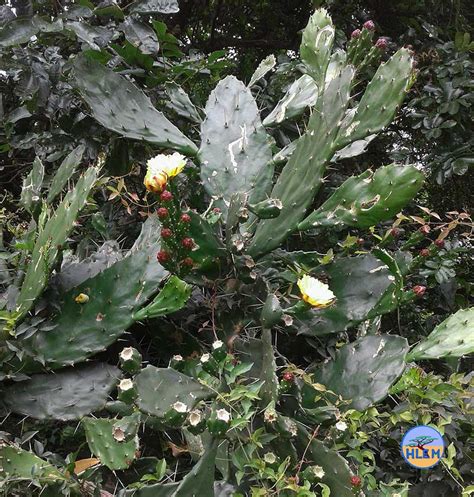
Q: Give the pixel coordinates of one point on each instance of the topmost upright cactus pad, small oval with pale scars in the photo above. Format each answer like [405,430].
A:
[316,45]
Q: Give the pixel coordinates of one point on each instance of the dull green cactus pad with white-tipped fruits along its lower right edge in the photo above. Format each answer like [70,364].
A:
[159,388]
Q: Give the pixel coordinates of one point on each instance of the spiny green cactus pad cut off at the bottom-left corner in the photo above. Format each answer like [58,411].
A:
[18,463]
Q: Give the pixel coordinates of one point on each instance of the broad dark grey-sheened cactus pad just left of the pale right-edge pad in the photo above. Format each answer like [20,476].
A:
[364,371]
